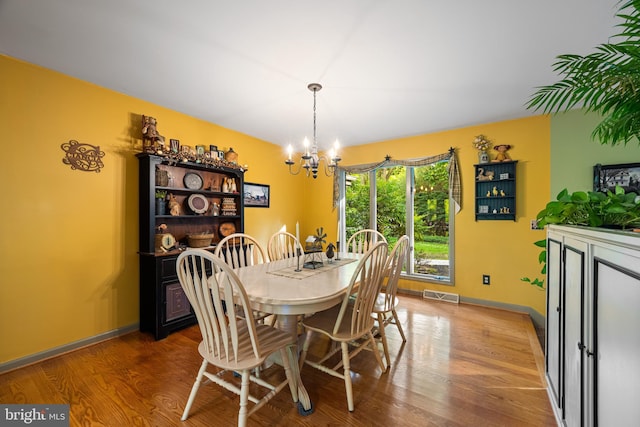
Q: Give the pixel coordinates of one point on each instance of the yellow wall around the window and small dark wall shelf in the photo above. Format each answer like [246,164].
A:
[502,249]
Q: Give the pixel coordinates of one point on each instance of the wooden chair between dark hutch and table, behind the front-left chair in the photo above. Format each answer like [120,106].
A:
[241,250]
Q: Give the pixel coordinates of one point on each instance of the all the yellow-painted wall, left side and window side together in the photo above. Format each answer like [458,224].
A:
[68,254]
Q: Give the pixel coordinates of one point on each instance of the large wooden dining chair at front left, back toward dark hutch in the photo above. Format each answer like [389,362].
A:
[229,342]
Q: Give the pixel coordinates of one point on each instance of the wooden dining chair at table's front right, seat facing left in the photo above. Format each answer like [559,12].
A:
[351,320]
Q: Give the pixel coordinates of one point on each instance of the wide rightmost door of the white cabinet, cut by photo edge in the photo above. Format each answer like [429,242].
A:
[616,338]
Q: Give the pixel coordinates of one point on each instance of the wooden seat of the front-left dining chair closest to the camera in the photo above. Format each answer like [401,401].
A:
[270,339]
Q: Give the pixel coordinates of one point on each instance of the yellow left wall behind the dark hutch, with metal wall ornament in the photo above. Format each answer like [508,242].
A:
[69,239]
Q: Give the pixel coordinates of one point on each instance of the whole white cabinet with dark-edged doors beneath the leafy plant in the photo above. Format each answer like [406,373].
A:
[593,326]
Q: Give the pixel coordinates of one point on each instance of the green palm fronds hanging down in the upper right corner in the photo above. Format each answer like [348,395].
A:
[604,82]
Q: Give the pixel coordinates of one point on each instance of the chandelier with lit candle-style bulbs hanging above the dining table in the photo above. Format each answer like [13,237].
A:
[310,161]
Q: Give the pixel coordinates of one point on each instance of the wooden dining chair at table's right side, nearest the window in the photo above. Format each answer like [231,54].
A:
[386,302]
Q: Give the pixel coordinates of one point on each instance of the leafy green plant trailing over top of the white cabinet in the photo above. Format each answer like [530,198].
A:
[613,209]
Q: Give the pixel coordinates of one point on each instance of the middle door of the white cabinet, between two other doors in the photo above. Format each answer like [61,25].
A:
[574,276]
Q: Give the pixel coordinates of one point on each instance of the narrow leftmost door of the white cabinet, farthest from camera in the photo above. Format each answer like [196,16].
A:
[554,336]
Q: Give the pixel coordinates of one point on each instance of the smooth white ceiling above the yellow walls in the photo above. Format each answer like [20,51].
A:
[389,68]
